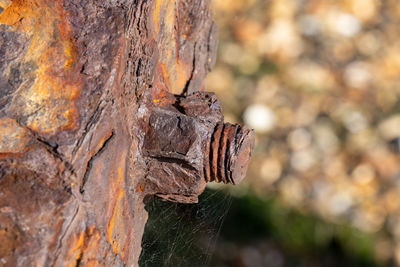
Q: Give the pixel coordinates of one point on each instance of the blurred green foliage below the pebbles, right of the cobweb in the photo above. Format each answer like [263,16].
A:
[299,235]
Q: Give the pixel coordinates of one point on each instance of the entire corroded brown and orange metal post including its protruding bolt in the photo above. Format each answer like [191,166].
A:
[101,105]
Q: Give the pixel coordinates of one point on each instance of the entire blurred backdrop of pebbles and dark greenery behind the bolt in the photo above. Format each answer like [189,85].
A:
[319,82]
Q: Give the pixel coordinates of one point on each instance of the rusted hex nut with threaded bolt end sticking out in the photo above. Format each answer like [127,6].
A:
[187,144]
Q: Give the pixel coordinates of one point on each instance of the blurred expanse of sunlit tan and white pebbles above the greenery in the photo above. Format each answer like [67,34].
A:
[322,78]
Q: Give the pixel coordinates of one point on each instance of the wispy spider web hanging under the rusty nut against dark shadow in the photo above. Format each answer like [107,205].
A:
[183,234]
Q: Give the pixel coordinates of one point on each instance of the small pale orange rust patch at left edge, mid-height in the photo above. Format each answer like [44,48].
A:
[13,138]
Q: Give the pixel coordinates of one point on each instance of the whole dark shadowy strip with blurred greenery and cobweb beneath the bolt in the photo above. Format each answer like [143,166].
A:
[215,232]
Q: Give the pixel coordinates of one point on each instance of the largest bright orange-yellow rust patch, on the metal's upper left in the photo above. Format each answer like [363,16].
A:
[49,103]
